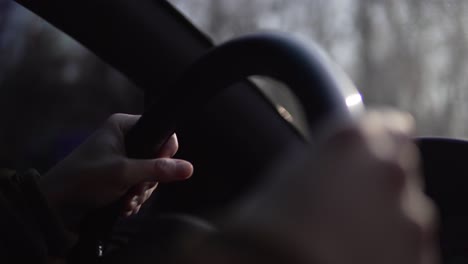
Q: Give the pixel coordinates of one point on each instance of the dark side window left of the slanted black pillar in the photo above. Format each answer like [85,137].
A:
[53,92]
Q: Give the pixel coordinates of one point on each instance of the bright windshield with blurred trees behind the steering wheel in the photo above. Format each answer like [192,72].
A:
[405,54]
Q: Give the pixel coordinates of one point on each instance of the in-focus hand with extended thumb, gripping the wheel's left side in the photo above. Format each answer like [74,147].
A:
[98,173]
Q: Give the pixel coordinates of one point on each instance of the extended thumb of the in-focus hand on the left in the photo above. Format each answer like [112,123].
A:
[157,170]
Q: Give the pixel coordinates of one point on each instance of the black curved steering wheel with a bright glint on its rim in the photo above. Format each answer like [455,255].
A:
[323,91]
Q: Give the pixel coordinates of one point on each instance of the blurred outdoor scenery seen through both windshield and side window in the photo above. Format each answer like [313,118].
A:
[408,54]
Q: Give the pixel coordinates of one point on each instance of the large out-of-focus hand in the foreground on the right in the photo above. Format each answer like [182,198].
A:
[357,197]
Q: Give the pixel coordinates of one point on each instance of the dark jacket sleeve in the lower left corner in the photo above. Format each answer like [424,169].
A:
[30,232]
